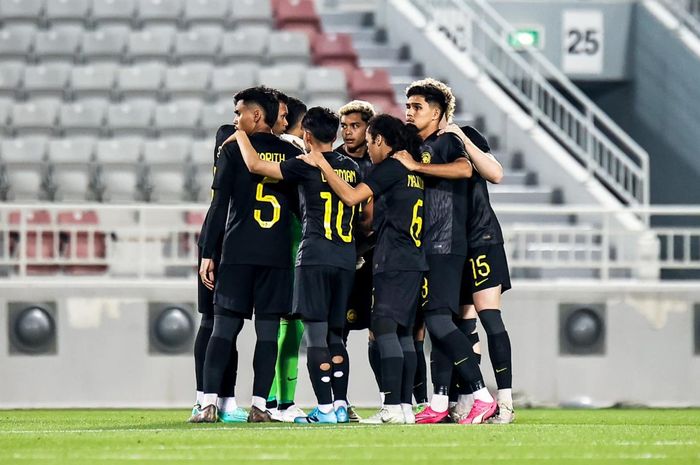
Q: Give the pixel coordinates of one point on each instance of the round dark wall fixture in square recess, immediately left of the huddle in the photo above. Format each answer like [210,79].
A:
[171,330]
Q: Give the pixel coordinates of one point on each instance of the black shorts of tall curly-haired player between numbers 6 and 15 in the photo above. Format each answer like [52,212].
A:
[444,282]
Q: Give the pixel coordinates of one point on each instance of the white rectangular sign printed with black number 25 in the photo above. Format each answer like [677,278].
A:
[582,42]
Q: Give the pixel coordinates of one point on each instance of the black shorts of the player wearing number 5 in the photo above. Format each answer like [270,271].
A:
[242,288]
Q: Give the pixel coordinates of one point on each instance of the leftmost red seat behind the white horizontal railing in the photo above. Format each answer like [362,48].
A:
[40,241]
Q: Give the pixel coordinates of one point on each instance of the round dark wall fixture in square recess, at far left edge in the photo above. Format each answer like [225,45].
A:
[32,331]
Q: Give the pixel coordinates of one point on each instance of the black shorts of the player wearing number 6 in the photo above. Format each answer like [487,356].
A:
[396,296]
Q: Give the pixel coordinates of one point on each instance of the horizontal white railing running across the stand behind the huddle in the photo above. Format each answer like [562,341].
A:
[146,241]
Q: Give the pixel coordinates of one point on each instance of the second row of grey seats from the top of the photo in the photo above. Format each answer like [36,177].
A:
[121,44]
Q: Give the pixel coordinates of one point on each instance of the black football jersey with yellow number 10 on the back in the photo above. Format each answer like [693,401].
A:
[328,225]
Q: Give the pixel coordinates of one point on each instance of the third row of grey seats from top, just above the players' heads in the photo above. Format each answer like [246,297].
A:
[109,80]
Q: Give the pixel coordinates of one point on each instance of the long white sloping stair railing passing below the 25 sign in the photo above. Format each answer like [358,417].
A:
[592,138]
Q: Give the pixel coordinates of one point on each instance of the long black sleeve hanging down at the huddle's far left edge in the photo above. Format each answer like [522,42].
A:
[221,193]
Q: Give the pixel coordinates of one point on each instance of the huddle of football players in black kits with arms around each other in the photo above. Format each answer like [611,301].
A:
[392,231]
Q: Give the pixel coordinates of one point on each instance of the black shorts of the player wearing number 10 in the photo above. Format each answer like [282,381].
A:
[321,293]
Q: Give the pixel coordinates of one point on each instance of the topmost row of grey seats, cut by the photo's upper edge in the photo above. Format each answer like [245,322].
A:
[136,12]
